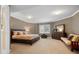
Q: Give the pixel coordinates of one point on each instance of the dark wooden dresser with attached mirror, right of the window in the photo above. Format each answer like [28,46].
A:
[59,32]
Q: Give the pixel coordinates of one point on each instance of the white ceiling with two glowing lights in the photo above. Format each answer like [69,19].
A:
[42,13]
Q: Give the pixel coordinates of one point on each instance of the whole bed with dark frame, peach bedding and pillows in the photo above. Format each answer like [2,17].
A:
[19,36]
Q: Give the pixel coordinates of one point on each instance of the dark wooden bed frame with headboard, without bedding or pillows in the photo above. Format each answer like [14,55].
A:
[21,40]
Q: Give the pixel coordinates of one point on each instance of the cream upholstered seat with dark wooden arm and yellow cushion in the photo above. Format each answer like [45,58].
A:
[72,41]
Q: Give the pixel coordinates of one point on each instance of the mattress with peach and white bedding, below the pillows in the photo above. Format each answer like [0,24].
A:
[25,37]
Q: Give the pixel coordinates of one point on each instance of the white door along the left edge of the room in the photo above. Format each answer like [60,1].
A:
[5,29]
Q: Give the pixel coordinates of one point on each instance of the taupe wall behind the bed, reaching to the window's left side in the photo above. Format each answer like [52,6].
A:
[18,24]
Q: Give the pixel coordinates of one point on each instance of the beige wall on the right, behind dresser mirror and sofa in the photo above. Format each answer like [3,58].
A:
[71,24]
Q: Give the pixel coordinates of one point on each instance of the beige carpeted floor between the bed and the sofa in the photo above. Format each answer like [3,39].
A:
[43,46]
